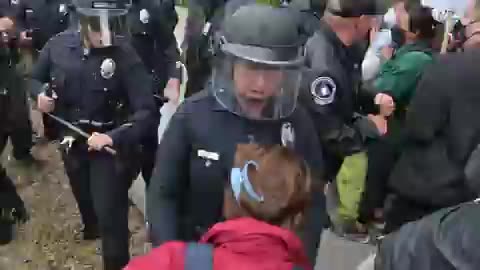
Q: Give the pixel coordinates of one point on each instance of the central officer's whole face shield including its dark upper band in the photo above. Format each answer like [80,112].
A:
[256,83]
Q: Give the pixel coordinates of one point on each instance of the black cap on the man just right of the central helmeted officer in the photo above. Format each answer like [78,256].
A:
[356,8]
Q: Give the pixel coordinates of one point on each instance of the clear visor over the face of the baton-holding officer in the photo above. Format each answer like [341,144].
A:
[100,27]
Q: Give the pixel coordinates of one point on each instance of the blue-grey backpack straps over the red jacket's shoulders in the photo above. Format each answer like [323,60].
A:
[200,257]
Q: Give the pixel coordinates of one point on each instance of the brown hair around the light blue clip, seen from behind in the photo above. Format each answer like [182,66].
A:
[282,178]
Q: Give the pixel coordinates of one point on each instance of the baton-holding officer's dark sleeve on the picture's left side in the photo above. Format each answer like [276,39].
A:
[40,72]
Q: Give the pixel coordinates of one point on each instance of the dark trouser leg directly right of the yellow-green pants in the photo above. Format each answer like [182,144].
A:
[382,156]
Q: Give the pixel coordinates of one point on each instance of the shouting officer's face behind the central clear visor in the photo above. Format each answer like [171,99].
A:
[254,82]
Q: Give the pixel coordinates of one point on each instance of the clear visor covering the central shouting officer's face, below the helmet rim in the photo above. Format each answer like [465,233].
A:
[256,91]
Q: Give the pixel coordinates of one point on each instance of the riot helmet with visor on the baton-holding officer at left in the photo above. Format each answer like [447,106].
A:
[101,21]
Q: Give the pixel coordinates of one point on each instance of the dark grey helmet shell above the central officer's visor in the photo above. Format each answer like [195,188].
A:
[263,34]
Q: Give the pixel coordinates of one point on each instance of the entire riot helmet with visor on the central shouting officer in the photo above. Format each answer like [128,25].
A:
[257,71]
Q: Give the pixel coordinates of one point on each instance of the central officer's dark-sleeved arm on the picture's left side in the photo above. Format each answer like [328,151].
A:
[169,180]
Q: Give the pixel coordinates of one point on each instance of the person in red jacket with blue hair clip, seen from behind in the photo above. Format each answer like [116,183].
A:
[263,204]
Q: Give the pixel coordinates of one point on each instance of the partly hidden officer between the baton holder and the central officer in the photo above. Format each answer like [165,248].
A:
[152,24]
